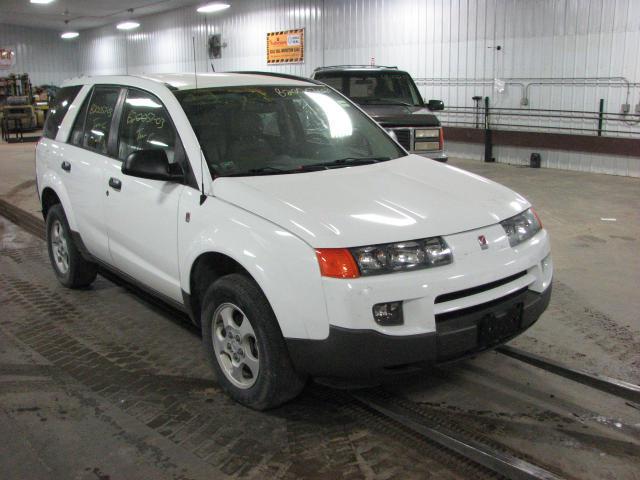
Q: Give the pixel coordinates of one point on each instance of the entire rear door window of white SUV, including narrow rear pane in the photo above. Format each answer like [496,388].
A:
[92,127]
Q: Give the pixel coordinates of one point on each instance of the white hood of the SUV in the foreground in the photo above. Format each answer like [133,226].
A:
[403,199]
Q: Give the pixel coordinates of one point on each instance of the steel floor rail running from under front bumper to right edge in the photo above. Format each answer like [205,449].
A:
[619,388]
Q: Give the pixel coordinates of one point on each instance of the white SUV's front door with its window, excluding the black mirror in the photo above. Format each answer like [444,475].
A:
[142,214]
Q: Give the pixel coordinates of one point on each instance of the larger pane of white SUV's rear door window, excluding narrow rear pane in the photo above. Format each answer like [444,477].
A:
[98,120]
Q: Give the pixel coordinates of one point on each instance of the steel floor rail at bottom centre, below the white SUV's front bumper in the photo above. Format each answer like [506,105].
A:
[501,463]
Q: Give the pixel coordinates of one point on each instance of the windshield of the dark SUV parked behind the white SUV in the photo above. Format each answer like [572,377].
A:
[385,88]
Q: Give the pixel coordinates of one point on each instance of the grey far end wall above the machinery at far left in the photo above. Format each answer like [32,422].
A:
[41,53]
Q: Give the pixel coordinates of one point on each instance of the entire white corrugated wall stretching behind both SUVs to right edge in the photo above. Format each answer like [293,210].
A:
[449,44]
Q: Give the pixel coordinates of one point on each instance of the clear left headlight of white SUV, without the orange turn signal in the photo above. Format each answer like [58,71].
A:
[393,257]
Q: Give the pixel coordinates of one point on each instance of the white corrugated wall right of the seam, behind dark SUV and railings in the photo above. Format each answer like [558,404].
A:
[451,45]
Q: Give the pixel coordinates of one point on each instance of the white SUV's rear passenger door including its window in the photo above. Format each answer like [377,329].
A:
[86,155]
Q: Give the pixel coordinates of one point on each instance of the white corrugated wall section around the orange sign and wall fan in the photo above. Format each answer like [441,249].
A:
[164,41]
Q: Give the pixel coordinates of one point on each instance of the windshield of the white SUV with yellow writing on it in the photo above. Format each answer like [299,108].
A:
[271,130]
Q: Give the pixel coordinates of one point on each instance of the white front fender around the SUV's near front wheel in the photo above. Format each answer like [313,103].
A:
[284,266]
